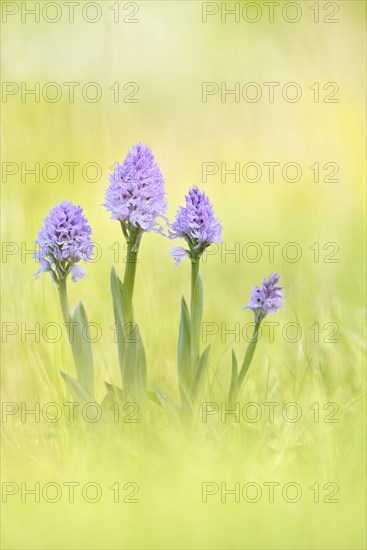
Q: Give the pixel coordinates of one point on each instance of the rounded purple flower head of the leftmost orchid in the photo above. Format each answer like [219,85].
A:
[63,241]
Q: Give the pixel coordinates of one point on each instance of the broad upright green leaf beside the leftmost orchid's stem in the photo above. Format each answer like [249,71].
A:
[82,349]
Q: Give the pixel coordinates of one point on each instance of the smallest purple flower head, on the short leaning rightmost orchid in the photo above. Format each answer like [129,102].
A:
[267,299]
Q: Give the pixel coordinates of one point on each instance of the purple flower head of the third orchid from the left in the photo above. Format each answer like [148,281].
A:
[196,224]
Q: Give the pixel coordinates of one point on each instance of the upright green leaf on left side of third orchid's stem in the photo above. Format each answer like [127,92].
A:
[184,351]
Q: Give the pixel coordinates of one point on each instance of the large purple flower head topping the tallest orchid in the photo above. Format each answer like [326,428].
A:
[136,194]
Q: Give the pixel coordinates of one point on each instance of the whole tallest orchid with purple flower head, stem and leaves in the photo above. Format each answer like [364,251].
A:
[136,198]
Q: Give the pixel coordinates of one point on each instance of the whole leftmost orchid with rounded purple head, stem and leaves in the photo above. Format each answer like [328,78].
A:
[63,241]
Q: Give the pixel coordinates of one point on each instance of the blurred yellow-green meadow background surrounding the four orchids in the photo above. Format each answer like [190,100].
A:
[151,62]
